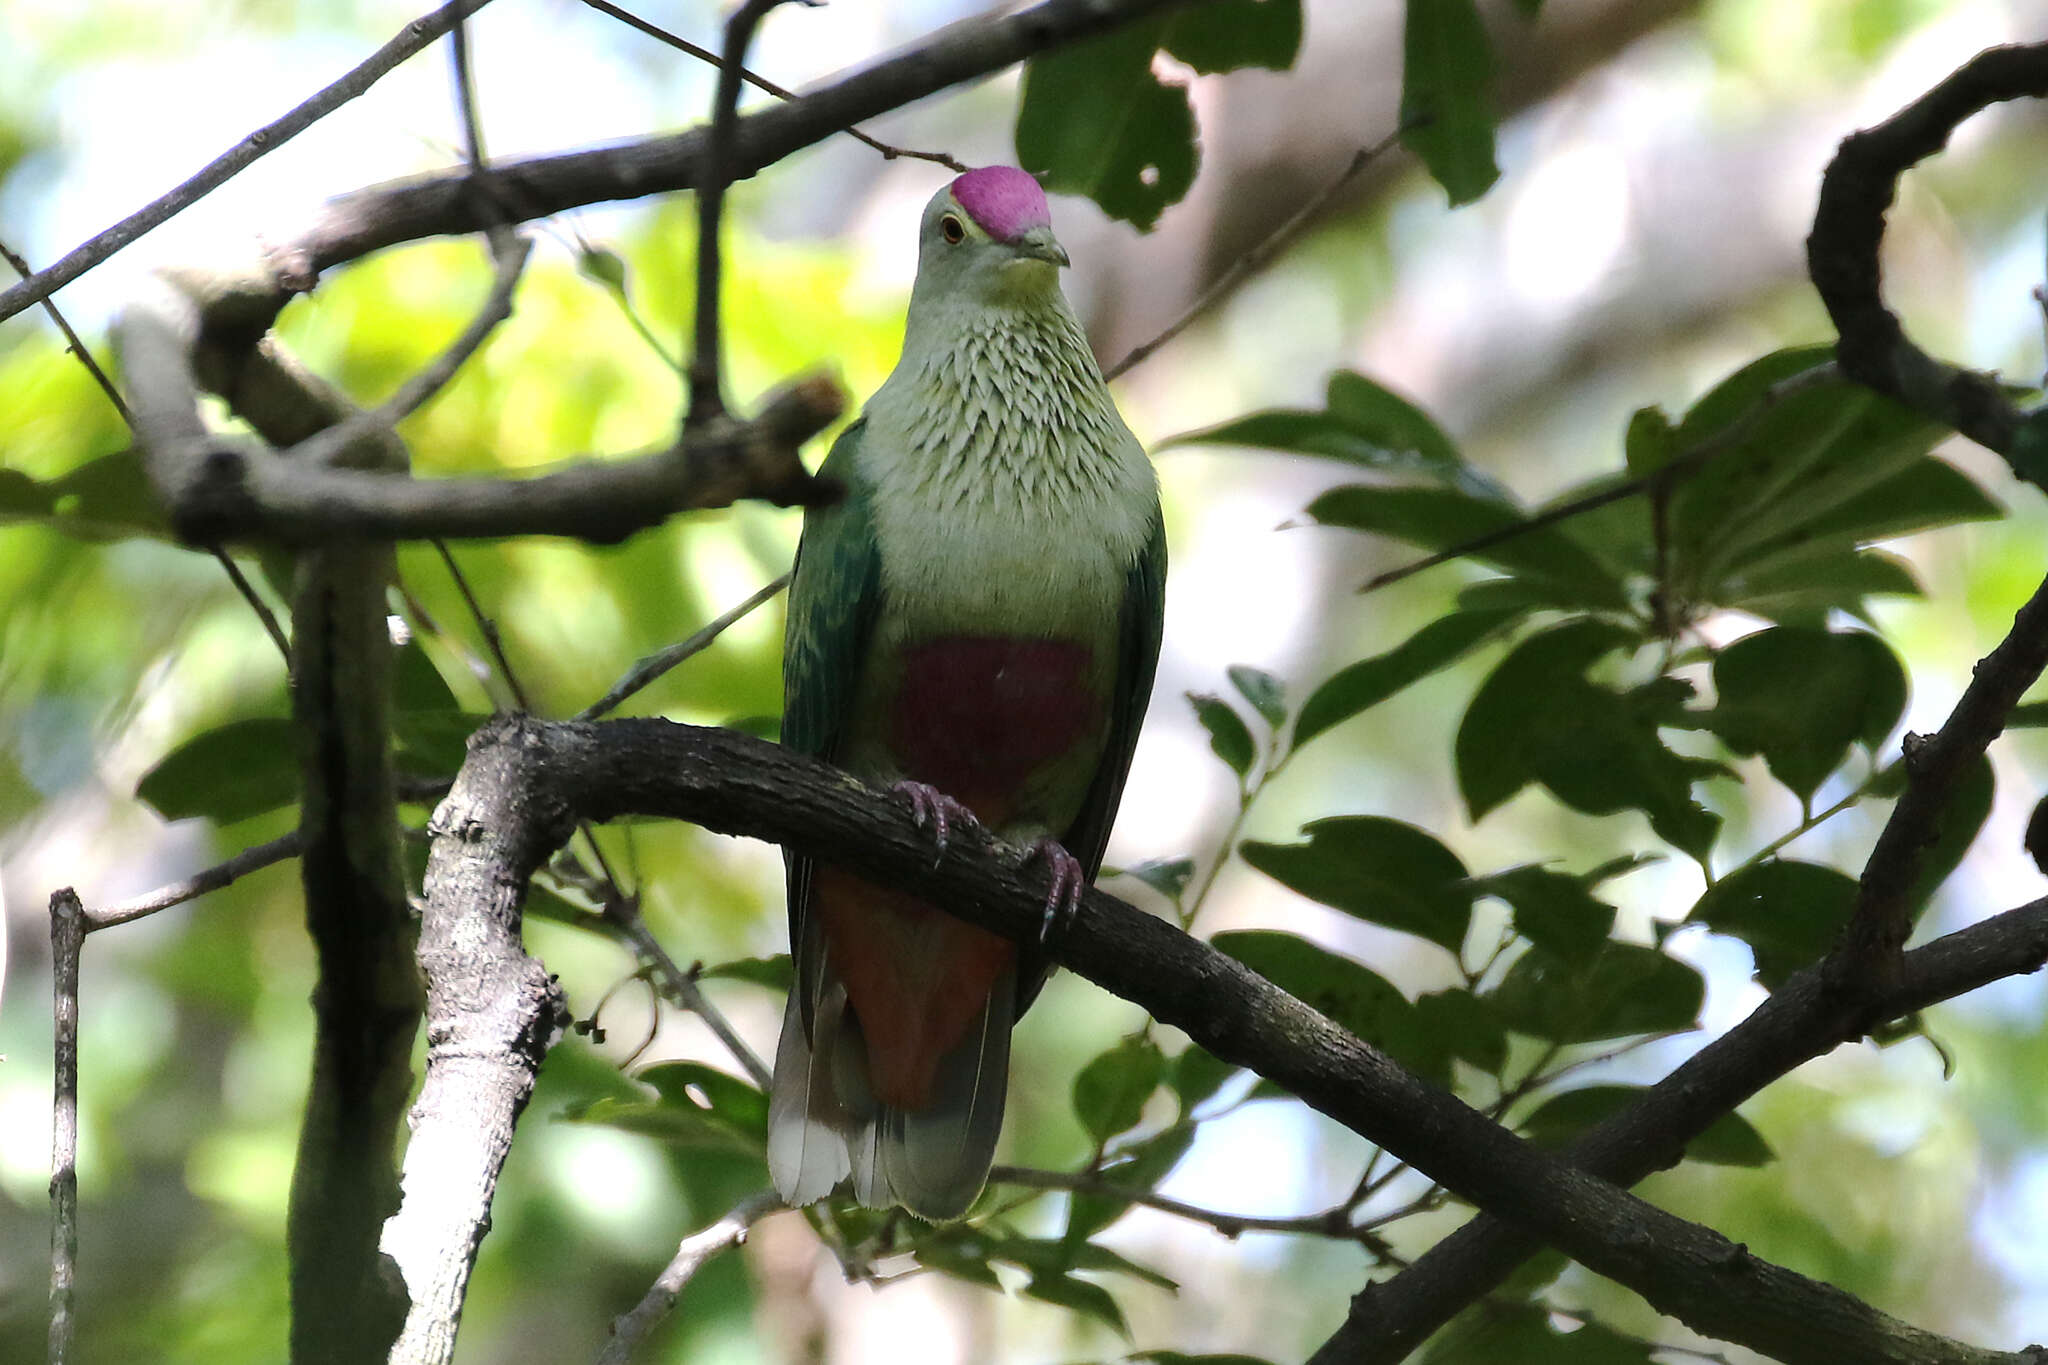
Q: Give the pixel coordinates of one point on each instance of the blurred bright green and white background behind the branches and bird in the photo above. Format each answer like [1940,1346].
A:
[1658,169]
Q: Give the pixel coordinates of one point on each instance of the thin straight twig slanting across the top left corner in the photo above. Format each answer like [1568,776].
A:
[220,171]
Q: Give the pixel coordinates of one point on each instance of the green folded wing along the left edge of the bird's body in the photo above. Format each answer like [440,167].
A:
[833,603]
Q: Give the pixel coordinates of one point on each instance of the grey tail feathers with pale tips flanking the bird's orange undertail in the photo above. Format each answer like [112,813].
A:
[824,1122]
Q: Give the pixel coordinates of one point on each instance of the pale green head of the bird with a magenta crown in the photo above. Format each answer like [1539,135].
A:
[988,238]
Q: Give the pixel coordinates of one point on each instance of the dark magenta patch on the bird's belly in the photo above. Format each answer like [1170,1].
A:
[978,715]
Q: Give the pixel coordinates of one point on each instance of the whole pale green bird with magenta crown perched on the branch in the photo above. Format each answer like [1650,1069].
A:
[974,627]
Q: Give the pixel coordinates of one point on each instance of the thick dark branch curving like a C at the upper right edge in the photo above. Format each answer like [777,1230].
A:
[1848,228]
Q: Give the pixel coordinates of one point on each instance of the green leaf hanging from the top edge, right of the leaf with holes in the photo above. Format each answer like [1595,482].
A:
[1447,95]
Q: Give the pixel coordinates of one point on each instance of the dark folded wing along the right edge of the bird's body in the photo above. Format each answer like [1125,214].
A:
[1138,658]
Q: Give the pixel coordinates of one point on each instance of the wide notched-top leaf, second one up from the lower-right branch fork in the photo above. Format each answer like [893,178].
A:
[1623,992]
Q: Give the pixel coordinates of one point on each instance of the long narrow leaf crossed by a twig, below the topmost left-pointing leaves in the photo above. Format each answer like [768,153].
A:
[1447,519]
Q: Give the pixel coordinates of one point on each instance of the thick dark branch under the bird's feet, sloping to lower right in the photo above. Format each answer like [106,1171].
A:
[546,777]
